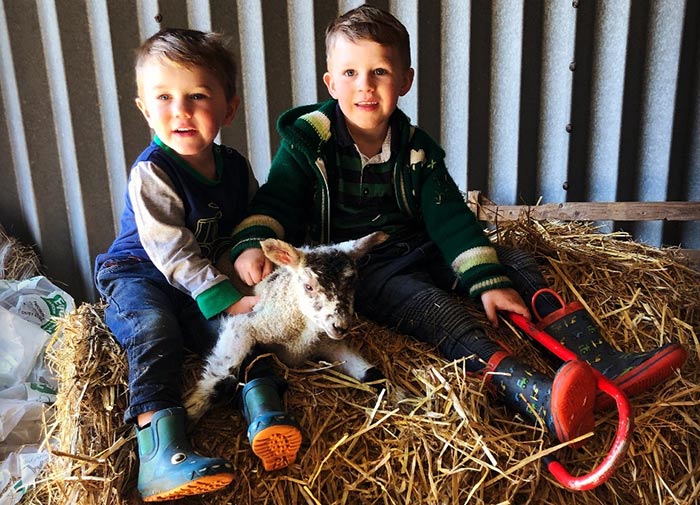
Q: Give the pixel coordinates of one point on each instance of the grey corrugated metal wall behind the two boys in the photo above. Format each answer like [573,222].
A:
[566,100]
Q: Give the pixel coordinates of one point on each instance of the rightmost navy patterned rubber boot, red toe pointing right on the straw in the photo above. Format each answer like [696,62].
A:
[633,373]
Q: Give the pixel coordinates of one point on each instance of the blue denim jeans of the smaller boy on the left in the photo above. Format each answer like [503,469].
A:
[154,323]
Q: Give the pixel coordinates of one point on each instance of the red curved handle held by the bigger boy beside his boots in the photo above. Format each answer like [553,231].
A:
[612,460]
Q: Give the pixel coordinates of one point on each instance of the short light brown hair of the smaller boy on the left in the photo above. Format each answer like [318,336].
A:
[192,48]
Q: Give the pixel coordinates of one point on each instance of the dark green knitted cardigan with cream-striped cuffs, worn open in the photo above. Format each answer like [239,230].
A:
[294,204]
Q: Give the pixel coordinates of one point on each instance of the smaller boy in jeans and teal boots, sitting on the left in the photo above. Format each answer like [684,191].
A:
[185,196]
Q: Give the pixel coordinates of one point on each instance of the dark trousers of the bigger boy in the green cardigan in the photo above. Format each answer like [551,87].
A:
[408,286]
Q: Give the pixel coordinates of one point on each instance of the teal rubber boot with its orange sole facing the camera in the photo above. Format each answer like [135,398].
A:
[274,436]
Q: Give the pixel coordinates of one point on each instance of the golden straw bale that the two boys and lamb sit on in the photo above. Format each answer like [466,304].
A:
[445,442]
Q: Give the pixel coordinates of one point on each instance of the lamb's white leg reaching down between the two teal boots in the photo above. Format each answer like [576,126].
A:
[230,350]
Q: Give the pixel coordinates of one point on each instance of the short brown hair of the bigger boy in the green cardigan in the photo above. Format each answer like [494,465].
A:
[370,23]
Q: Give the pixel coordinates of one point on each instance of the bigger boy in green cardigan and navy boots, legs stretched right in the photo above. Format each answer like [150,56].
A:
[355,164]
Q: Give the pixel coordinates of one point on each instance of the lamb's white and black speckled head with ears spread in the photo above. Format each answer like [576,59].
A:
[324,278]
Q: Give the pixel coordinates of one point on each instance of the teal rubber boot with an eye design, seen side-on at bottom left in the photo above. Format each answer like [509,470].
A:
[168,467]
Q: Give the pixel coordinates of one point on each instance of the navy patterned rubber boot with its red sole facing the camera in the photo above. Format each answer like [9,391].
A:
[564,404]
